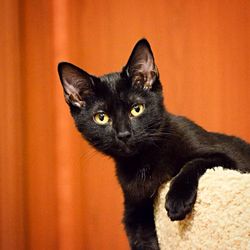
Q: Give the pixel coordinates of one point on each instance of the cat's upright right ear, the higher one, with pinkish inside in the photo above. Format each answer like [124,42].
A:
[141,68]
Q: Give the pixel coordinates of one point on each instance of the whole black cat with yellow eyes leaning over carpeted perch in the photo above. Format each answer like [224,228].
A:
[122,115]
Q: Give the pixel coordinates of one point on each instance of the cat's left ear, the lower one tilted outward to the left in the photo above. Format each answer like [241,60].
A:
[77,84]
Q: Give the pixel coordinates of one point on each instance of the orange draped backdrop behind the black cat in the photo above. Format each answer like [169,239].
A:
[57,192]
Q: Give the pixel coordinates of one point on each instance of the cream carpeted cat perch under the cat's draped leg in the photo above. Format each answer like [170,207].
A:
[220,218]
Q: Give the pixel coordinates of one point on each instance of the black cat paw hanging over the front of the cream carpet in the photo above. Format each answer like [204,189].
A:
[180,200]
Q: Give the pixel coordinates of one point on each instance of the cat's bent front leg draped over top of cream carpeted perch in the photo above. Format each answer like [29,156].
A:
[182,193]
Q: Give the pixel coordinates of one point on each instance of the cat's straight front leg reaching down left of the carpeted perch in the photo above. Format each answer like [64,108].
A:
[140,226]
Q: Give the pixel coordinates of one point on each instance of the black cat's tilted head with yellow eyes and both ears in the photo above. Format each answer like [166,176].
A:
[118,113]
